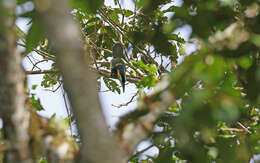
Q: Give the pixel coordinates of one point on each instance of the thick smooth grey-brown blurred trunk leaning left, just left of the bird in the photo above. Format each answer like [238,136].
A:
[97,144]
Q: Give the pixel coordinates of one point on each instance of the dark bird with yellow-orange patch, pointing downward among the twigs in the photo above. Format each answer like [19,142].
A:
[118,70]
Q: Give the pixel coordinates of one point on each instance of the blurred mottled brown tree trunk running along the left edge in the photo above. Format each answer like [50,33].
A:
[12,97]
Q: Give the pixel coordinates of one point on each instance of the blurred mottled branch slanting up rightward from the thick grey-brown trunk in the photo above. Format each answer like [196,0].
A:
[142,120]
